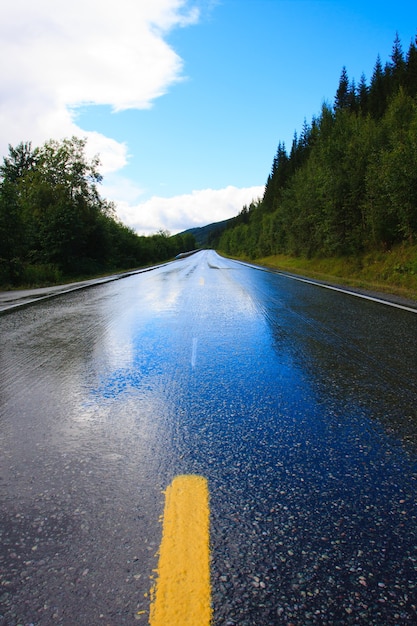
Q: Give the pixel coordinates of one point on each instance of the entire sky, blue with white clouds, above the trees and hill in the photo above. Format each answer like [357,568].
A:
[186,101]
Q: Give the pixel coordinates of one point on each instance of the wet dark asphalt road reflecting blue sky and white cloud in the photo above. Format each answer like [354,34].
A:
[297,403]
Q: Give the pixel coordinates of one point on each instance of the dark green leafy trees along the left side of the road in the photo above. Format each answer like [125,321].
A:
[55,225]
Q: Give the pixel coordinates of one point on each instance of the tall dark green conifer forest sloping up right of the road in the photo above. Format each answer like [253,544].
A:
[349,182]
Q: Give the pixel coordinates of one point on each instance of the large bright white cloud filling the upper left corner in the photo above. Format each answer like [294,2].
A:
[59,55]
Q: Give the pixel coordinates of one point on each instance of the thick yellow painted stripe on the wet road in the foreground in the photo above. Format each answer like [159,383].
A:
[182,594]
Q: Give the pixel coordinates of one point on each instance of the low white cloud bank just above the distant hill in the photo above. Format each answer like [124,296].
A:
[186,211]
